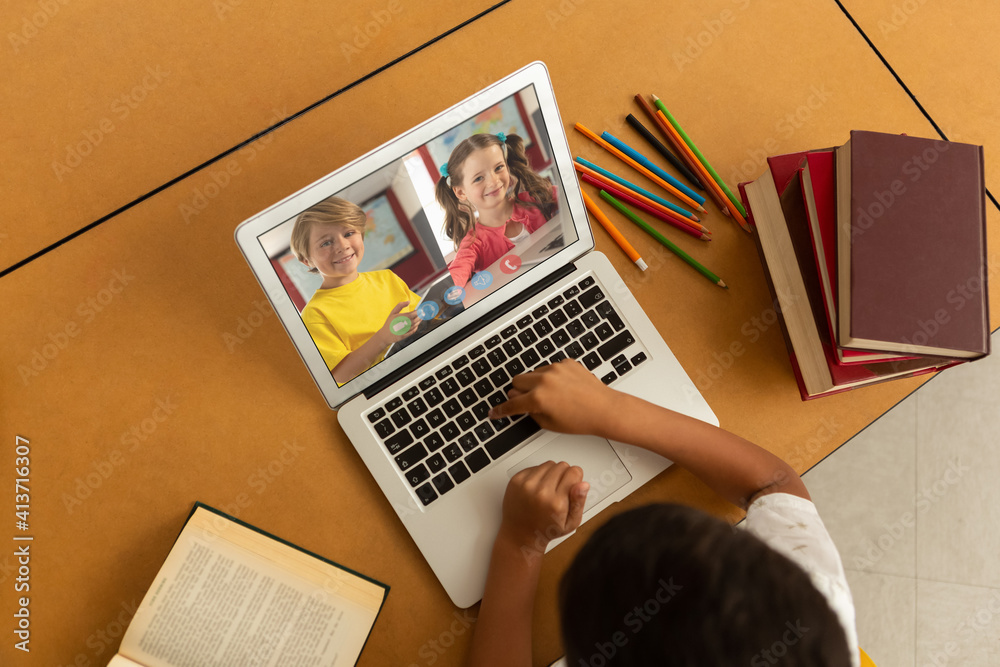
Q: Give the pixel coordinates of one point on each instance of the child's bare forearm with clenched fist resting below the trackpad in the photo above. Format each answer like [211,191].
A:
[541,503]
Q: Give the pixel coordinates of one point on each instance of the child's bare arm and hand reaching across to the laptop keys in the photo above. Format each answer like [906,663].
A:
[566,397]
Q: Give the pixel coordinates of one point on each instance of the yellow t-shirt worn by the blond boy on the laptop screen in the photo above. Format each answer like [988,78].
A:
[341,319]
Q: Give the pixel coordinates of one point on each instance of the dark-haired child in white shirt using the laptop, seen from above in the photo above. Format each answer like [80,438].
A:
[664,584]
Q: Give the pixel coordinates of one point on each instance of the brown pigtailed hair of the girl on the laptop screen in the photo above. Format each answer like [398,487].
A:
[459,217]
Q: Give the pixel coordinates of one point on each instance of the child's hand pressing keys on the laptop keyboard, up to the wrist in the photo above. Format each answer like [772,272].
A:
[563,397]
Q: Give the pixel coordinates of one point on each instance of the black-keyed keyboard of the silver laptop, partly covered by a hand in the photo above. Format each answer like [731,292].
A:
[437,430]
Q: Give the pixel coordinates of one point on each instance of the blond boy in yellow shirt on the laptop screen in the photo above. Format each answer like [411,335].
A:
[353,317]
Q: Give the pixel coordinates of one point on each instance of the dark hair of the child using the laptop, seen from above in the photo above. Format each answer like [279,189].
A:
[671,585]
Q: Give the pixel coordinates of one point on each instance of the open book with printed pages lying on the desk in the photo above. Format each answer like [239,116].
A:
[231,595]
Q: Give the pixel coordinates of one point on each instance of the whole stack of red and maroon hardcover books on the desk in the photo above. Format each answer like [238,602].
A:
[875,254]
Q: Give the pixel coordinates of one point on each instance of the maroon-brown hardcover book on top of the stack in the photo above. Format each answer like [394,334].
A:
[911,246]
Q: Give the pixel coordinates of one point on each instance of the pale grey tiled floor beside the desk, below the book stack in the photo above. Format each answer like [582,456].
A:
[913,503]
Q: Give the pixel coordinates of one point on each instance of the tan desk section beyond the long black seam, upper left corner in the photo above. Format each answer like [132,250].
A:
[104,103]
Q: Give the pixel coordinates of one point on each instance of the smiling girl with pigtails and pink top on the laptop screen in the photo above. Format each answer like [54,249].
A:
[488,177]
